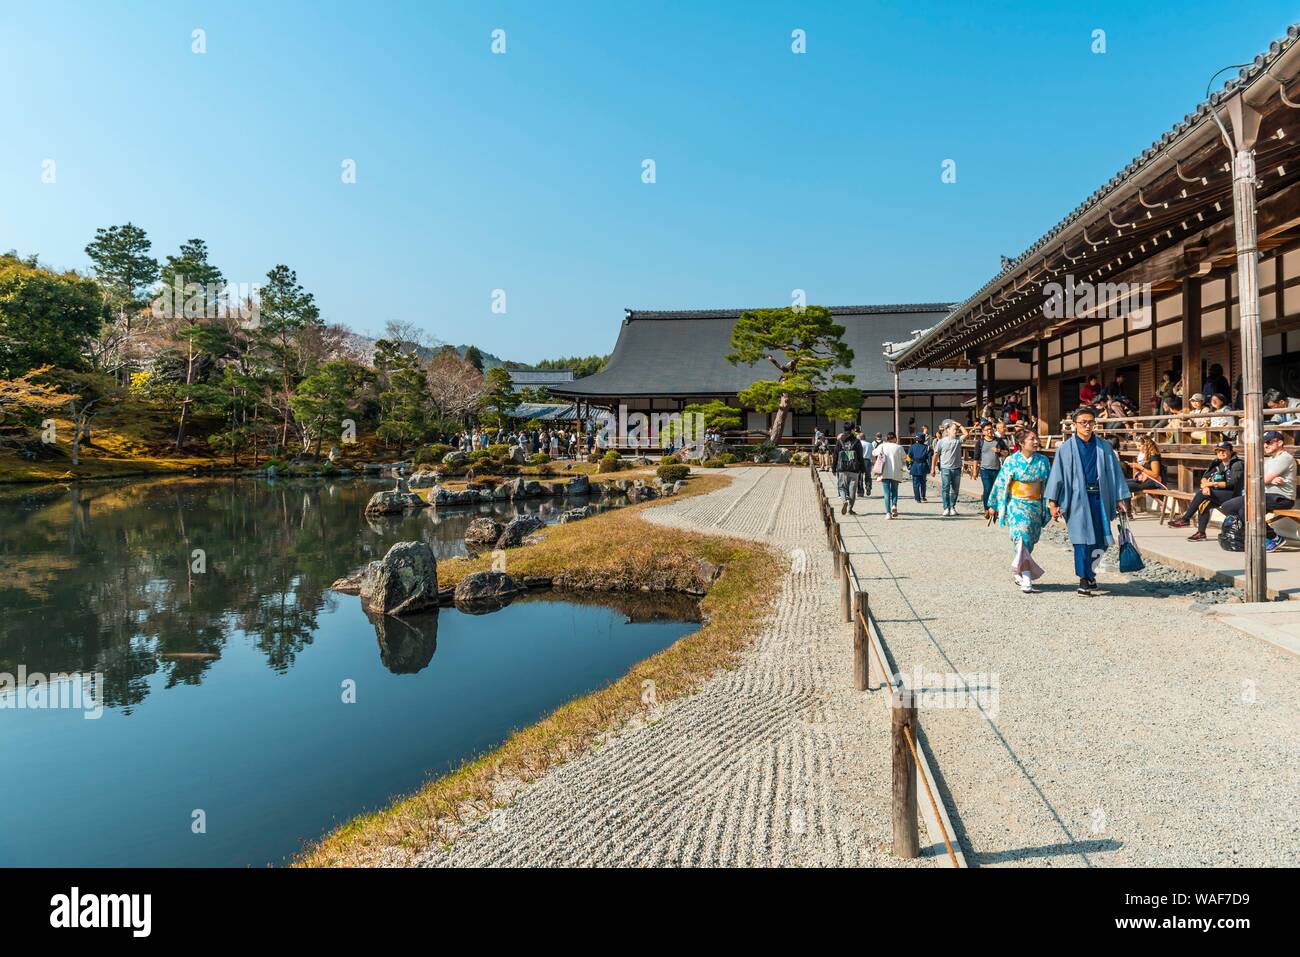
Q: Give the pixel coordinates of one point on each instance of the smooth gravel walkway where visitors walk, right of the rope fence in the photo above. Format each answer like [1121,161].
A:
[1126,729]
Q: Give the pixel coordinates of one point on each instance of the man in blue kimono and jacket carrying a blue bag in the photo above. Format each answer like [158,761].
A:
[1087,487]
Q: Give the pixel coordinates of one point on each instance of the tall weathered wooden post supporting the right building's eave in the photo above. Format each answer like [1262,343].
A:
[1253,353]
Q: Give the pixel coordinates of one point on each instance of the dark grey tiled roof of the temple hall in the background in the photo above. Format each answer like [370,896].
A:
[684,353]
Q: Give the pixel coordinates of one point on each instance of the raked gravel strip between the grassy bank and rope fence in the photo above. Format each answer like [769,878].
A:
[777,763]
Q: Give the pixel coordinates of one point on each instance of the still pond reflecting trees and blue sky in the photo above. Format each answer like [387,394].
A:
[246,707]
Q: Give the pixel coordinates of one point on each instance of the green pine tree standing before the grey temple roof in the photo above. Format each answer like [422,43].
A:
[804,345]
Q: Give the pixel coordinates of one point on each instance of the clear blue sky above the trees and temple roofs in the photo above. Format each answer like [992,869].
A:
[523,172]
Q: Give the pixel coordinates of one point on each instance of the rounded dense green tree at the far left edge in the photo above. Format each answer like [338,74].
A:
[46,318]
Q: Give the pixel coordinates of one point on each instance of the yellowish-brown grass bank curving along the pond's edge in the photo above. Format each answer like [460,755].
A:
[735,608]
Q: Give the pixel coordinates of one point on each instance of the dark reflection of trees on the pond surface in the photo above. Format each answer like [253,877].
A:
[140,581]
